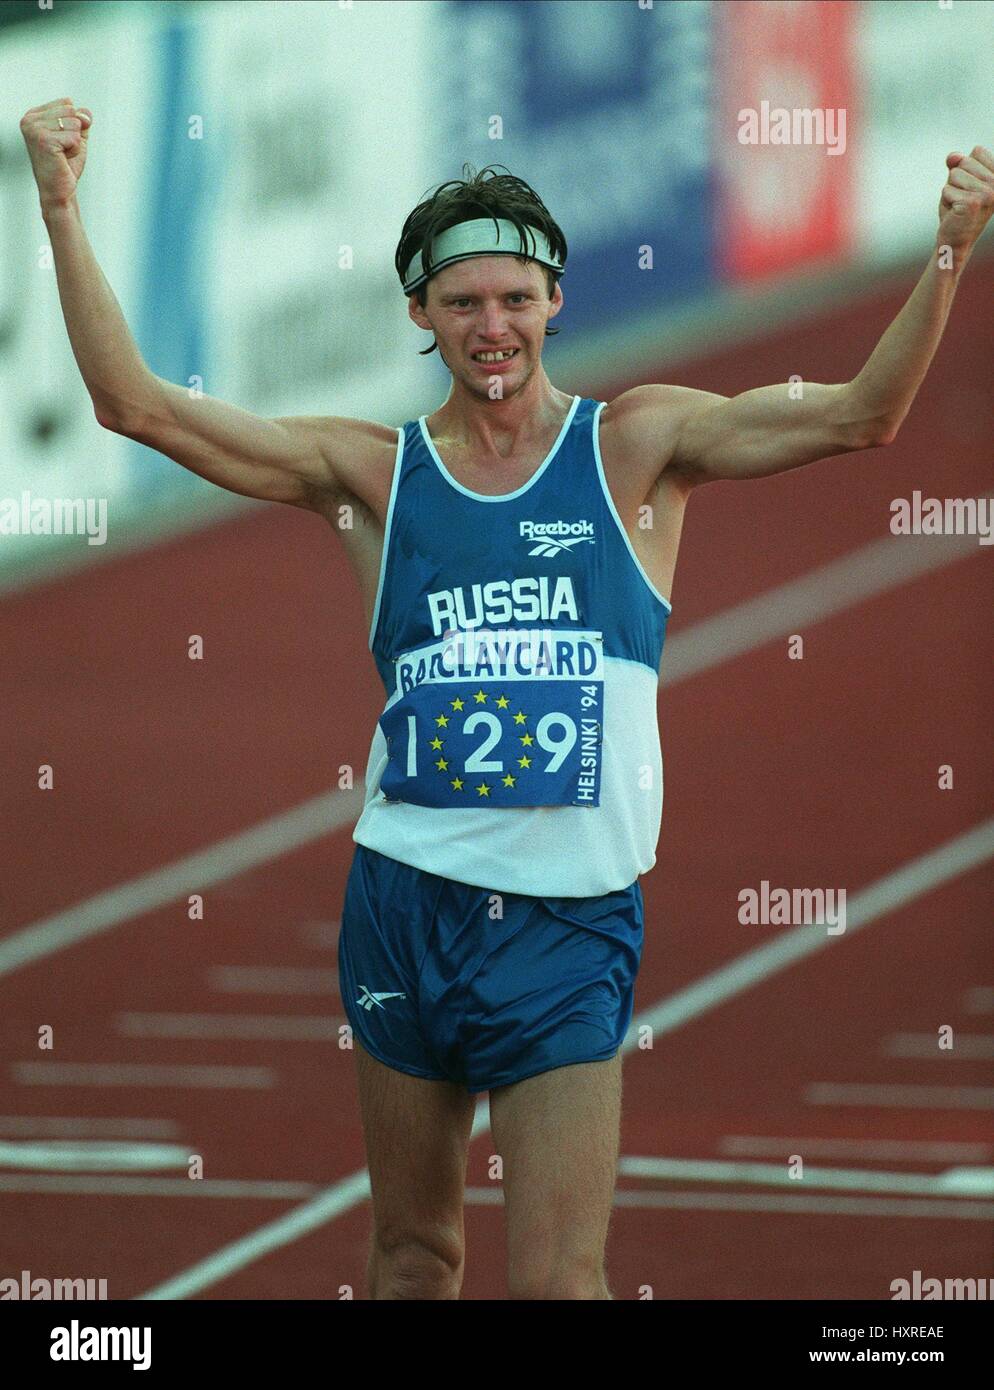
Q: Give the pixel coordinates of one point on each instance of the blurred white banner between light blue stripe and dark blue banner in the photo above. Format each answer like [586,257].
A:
[313,183]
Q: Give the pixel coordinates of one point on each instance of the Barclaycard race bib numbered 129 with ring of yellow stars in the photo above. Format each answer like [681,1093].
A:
[498,719]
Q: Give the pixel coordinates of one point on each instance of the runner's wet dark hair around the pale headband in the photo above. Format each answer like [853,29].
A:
[486,194]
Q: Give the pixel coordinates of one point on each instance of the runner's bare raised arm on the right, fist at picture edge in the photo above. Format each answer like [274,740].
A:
[776,429]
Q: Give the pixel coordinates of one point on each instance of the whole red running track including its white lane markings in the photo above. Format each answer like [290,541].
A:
[814,774]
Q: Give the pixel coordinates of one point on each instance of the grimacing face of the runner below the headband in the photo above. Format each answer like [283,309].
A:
[486,306]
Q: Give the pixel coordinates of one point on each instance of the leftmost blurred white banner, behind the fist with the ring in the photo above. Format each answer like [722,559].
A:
[51,443]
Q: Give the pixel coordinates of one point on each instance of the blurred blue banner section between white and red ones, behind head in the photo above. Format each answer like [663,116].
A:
[605,109]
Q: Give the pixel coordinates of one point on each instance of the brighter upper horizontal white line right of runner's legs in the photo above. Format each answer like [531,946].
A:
[954,1182]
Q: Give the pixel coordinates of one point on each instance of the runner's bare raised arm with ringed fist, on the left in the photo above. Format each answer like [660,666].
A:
[291,459]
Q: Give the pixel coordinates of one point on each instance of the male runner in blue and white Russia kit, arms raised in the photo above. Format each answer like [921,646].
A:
[493,918]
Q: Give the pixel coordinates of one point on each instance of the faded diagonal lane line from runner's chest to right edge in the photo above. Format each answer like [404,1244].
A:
[820,594]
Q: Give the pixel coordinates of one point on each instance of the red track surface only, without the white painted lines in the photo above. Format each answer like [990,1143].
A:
[807,774]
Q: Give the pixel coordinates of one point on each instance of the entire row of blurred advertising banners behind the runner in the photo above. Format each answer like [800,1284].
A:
[248,219]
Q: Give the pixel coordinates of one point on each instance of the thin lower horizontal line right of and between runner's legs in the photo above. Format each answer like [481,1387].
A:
[779,1203]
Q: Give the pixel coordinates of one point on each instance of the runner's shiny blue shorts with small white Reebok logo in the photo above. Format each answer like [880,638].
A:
[465,985]
